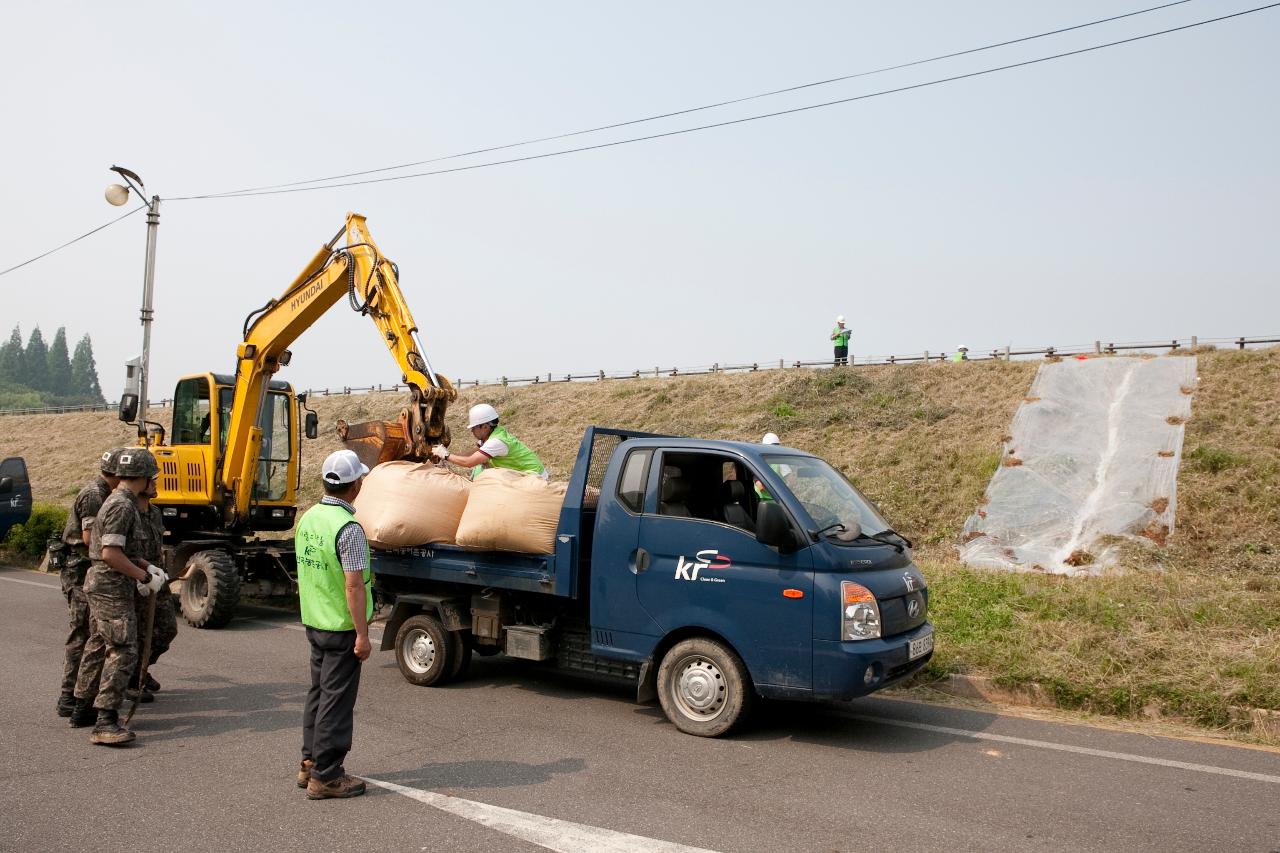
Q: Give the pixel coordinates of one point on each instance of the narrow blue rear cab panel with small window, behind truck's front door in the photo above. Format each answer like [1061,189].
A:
[616,560]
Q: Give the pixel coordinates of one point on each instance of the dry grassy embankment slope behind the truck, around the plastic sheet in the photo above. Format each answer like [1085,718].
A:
[1192,631]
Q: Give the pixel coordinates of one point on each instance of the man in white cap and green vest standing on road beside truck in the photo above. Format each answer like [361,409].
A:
[337,604]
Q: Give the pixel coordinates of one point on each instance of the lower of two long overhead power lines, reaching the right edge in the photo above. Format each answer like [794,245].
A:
[742,121]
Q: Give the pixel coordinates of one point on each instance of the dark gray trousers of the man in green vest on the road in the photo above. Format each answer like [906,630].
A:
[327,718]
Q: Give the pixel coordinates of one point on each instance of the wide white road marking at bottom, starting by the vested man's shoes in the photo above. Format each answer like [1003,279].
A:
[551,833]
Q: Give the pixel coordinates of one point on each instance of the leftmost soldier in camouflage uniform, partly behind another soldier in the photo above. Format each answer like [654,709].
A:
[72,560]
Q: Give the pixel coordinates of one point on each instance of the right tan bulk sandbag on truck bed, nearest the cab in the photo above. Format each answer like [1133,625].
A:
[511,512]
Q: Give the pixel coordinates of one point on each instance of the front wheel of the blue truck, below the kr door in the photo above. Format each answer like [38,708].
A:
[703,687]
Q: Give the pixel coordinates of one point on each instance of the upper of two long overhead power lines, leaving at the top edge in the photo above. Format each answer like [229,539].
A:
[706,107]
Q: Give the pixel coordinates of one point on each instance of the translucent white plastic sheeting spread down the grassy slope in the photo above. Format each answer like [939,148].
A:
[1094,453]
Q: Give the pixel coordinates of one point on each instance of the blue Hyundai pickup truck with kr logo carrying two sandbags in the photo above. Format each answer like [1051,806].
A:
[707,572]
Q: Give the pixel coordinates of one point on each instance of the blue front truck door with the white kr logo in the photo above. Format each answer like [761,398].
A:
[707,569]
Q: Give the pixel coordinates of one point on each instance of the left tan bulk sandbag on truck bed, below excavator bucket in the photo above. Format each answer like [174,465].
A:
[408,504]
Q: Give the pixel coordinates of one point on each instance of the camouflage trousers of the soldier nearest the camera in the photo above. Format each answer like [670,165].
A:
[112,651]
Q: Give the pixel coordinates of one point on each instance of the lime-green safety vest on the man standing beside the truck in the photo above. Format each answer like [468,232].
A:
[322,582]
